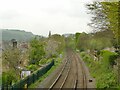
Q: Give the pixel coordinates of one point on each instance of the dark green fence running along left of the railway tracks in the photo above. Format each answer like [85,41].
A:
[31,78]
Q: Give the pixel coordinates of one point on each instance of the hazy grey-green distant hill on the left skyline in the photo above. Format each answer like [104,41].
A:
[19,35]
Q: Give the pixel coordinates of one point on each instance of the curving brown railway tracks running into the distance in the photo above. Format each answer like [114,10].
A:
[72,74]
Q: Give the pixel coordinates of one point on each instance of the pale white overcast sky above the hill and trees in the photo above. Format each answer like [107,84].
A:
[42,16]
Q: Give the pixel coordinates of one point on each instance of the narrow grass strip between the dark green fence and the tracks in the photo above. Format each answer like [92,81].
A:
[57,63]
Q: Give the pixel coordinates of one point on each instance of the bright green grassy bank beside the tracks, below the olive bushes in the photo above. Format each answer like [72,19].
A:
[105,75]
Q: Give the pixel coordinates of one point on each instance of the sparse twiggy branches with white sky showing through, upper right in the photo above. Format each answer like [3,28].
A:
[98,20]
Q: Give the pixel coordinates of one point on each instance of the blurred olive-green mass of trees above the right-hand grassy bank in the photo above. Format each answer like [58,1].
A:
[94,41]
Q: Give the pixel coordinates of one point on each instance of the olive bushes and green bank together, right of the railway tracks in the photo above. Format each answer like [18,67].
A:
[91,46]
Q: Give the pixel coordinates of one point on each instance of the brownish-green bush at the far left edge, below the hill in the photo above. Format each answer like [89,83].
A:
[11,59]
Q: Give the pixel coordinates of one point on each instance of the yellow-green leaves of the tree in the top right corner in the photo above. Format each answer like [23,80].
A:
[111,10]
